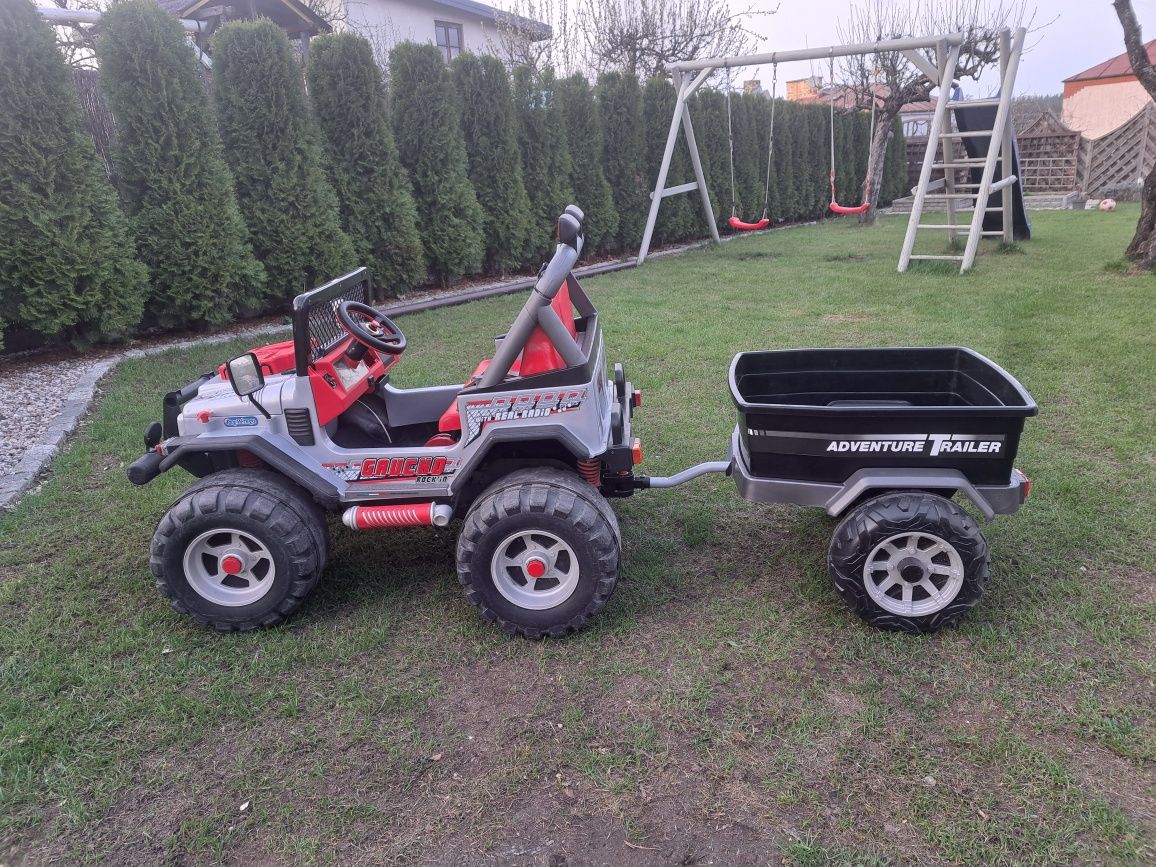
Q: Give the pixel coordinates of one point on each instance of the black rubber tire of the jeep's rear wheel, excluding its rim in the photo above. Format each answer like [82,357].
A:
[562,505]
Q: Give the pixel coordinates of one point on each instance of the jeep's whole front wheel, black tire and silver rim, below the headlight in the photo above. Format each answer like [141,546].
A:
[241,550]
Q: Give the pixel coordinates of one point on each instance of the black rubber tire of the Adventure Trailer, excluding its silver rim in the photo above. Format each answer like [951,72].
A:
[903,513]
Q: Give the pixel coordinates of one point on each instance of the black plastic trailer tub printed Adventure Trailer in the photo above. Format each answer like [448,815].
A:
[821,416]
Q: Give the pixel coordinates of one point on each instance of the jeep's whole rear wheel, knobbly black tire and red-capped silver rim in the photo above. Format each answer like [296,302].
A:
[539,553]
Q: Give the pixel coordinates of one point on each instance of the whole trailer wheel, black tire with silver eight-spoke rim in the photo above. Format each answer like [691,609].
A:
[909,561]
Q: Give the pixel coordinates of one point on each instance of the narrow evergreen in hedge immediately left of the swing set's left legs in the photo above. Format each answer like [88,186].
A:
[620,101]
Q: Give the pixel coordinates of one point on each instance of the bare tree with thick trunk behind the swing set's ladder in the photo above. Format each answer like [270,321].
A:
[893,81]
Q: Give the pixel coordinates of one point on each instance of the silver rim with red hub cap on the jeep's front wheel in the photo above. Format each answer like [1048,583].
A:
[213,554]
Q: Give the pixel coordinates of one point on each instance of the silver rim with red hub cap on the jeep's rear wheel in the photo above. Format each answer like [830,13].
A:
[535,569]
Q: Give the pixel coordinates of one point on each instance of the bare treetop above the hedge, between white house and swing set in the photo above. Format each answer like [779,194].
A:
[644,36]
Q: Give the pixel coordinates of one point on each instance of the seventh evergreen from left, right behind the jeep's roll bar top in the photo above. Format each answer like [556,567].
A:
[545,155]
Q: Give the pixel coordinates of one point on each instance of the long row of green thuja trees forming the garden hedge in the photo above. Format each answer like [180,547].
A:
[455,172]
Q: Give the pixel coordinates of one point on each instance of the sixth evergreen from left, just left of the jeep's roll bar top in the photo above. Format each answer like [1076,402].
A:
[491,131]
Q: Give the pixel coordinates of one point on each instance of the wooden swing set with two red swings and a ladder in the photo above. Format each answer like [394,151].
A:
[936,57]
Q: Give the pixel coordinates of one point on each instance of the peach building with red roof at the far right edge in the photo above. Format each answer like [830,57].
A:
[1105,98]
